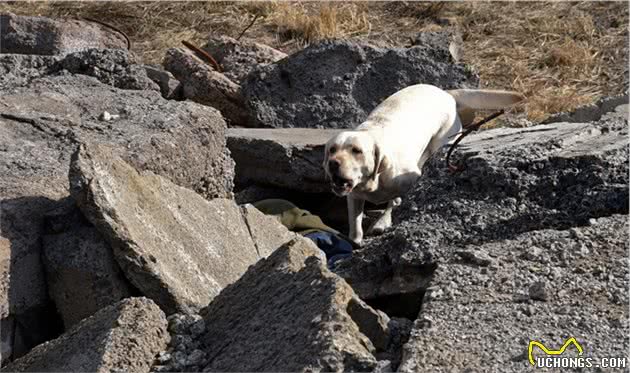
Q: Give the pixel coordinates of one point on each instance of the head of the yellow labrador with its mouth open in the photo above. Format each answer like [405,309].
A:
[353,159]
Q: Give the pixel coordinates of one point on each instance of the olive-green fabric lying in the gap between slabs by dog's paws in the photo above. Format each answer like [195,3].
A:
[292,217]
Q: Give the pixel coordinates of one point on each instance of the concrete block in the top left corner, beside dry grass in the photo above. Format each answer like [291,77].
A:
[47,36]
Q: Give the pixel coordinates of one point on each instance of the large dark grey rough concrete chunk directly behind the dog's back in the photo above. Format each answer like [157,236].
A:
[336,84]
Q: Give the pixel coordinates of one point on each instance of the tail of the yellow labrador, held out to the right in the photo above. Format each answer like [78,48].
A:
[469,100]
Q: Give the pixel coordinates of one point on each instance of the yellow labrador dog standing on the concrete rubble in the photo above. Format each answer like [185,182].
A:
[382,158]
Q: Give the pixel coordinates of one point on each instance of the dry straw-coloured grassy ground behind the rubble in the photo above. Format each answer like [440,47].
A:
[559,54]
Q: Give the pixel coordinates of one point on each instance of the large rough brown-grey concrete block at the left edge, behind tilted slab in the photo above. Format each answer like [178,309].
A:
[183,141]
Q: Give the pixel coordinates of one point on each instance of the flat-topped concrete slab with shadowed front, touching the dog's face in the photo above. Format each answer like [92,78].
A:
[295,155]
